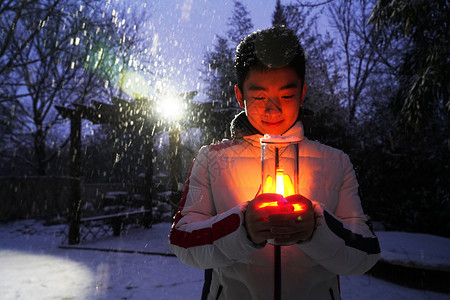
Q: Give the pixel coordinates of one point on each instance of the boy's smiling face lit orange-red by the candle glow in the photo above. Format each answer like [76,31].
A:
[271,99]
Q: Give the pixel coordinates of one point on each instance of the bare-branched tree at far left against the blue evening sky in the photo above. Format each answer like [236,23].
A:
[61,63]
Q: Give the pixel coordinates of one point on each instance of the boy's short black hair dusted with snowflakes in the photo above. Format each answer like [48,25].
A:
[274,47]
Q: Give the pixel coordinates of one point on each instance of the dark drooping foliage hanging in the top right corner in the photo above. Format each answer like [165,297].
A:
[424,69]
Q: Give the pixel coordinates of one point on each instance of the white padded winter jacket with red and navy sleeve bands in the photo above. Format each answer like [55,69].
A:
[209,232]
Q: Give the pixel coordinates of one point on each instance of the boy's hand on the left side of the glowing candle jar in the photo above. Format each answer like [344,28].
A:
[256,218]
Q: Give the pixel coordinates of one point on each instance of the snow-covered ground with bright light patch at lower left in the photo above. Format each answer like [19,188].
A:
[33,266]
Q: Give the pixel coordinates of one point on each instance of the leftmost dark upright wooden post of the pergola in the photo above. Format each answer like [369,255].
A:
[75,172]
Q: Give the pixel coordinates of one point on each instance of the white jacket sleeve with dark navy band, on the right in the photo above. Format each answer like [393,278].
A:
[344,242]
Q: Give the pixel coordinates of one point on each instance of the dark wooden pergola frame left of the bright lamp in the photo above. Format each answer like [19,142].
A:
[118,113]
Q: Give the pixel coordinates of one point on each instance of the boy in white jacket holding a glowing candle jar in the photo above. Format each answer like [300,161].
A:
[219,225]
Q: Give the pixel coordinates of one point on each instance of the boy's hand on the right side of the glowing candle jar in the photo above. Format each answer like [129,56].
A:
[297,226]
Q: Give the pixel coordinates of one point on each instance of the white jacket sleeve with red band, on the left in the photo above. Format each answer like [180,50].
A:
[199,236]
